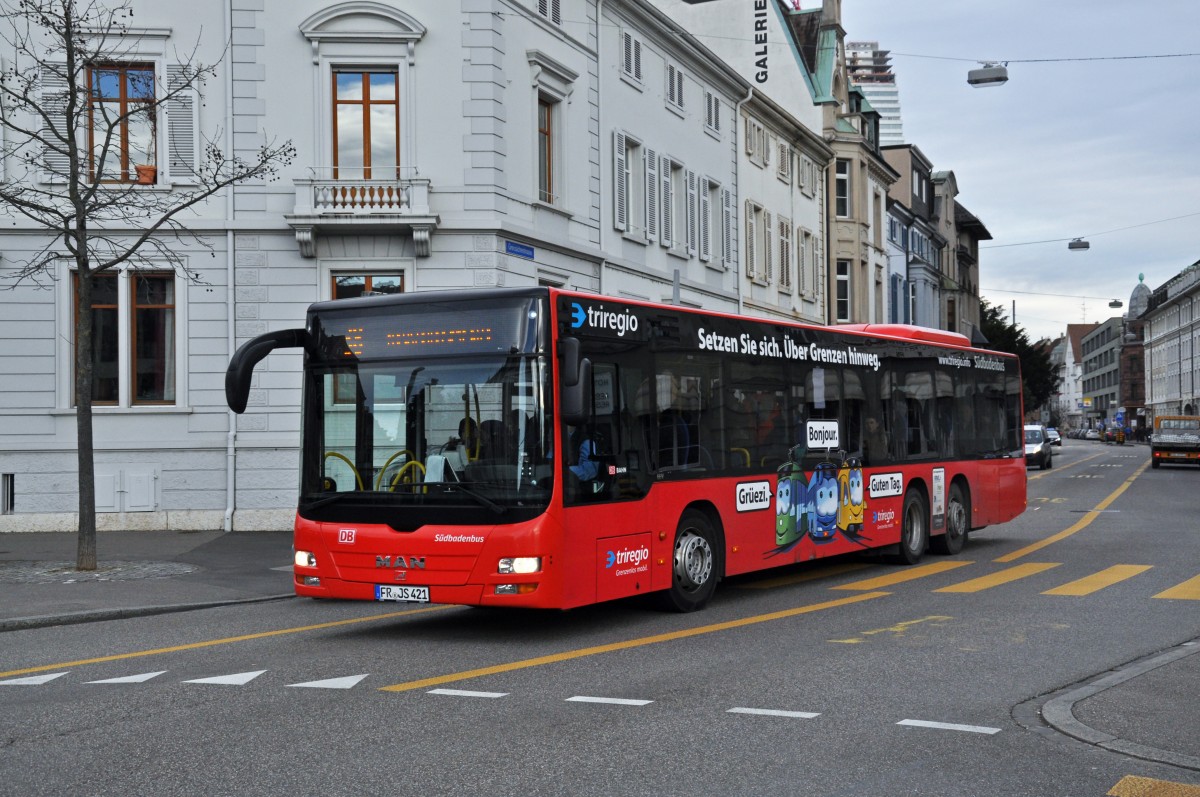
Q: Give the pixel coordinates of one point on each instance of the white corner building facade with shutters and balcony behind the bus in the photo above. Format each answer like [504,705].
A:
[470,143]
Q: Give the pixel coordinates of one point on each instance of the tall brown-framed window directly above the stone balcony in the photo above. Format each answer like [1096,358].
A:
[367,125]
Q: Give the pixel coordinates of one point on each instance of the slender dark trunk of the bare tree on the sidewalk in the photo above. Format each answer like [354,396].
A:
[86,553]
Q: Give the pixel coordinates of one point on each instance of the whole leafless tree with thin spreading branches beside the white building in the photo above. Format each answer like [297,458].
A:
[71,151]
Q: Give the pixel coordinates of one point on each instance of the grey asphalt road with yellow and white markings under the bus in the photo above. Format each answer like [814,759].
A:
[851,678]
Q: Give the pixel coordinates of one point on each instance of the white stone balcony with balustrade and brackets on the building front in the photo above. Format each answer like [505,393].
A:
[326,206]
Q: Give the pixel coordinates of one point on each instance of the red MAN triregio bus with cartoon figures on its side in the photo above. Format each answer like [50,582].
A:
[543,448]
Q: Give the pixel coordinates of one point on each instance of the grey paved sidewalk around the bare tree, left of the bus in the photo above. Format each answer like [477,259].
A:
[139,573]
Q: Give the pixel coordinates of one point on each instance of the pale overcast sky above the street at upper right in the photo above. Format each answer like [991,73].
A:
[1065,149]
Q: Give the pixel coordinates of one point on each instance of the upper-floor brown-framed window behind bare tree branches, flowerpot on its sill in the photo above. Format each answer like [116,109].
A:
[122,130]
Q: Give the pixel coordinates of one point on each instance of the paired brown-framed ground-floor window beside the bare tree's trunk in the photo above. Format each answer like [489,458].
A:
[134,337]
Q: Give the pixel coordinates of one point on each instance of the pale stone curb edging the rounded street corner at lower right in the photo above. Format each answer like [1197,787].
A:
[1059,711]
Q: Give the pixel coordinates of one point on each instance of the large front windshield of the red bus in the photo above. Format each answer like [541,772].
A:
[429,433]
